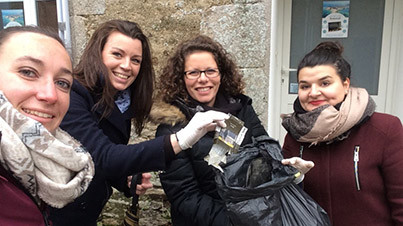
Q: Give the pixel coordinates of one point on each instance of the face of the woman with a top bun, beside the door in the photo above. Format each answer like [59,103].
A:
[320,85]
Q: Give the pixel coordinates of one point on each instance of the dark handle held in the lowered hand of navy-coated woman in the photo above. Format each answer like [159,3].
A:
[131,216]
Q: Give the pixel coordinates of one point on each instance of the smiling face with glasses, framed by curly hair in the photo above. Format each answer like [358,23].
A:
[203,89]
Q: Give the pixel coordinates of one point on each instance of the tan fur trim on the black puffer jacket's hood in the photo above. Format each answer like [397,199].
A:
[164,113]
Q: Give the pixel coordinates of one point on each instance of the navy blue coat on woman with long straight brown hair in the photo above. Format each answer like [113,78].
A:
[106,140]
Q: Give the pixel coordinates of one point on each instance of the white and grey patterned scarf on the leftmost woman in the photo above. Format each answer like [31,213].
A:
[52,167]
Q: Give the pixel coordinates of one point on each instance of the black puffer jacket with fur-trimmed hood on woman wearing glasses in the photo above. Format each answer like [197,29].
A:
[189,181]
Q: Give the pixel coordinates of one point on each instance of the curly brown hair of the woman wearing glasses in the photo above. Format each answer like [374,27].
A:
[171,83]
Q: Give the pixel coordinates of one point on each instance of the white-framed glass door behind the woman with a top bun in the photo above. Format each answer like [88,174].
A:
[298,27]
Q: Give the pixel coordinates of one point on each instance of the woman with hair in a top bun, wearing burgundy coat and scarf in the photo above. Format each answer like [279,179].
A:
[358,153]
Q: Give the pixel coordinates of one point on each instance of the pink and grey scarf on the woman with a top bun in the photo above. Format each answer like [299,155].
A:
[327,123]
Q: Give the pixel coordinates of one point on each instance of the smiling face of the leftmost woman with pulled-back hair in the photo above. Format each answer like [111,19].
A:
[36,79]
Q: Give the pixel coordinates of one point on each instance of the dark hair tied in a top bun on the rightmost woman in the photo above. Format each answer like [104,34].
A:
[327,53]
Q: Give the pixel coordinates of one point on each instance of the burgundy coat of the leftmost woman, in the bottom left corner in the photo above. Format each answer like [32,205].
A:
[16,207]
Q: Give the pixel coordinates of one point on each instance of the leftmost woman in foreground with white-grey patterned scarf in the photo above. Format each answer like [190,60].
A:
[41,165]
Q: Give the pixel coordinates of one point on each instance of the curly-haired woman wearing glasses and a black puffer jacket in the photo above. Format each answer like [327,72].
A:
[200,76]
